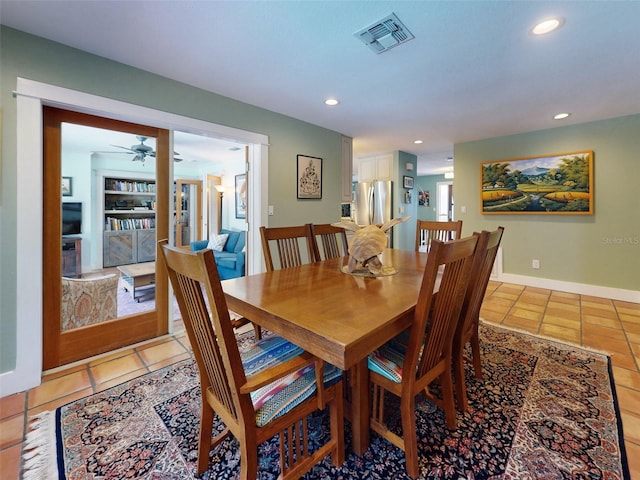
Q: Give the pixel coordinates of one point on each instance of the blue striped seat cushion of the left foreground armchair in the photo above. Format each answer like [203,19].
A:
[281,396]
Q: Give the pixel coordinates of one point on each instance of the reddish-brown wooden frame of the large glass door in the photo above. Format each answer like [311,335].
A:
[56,344]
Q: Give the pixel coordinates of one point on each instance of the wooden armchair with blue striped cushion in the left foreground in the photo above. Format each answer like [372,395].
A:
[265,391]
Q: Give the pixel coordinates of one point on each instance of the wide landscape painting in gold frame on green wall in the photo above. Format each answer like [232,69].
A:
[551,184]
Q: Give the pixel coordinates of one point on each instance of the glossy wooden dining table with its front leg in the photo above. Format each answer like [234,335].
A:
[339,317]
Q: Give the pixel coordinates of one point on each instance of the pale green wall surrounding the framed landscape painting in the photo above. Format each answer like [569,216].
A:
[601,249]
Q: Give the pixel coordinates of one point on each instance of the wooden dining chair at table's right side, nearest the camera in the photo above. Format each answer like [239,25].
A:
[407,364]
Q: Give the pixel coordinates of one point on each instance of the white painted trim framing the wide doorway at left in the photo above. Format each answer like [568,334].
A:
[31,96]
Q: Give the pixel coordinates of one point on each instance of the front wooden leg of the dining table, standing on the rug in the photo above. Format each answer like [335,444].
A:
[360,406]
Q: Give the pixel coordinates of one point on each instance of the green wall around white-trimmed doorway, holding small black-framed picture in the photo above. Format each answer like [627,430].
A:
[34,58]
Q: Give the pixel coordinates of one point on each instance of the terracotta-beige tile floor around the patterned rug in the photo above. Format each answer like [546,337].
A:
[599,323]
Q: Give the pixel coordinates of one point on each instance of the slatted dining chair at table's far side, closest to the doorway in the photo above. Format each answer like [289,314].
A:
[292,244]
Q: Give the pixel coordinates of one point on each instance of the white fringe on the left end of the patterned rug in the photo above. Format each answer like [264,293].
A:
[40,448]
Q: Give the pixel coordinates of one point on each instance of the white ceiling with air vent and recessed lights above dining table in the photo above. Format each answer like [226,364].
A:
[473,70]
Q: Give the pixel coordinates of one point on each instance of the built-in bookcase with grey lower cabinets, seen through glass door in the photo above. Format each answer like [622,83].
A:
[129,221]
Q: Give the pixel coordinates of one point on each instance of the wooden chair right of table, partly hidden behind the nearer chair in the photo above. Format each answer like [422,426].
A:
[467,329]
